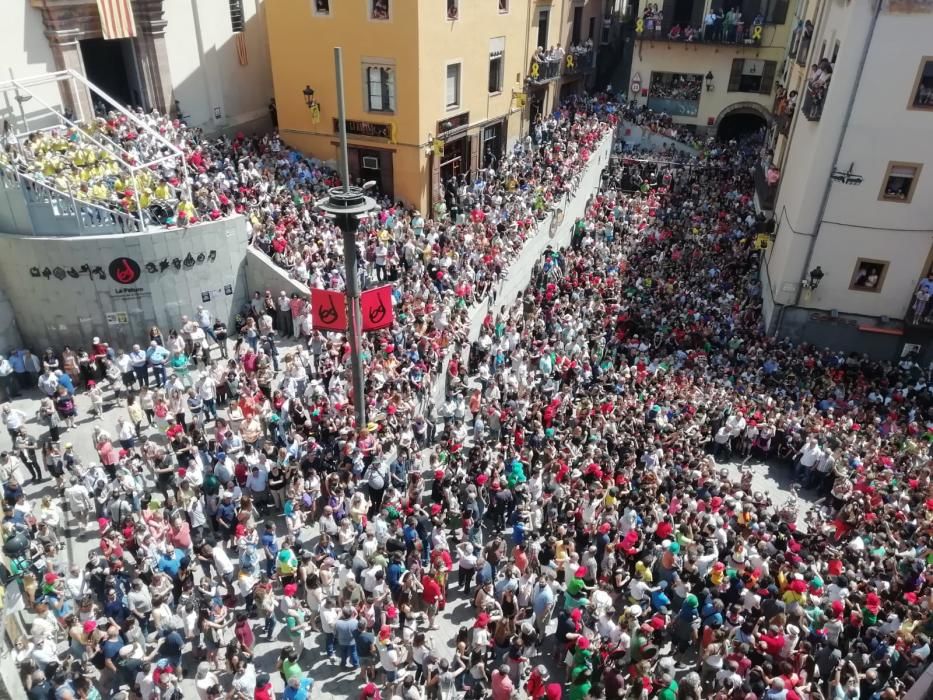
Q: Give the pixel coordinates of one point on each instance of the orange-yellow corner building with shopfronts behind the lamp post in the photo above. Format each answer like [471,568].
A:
[434,88]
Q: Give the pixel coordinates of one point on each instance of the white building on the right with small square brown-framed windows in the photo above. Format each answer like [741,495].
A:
[854,203]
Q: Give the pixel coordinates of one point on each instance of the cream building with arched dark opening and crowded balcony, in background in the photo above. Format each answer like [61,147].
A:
[708,62]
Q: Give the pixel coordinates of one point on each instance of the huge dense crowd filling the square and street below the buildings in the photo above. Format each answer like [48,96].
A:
[570,493]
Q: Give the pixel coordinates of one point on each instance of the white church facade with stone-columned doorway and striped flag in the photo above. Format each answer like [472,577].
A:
[205,60]
